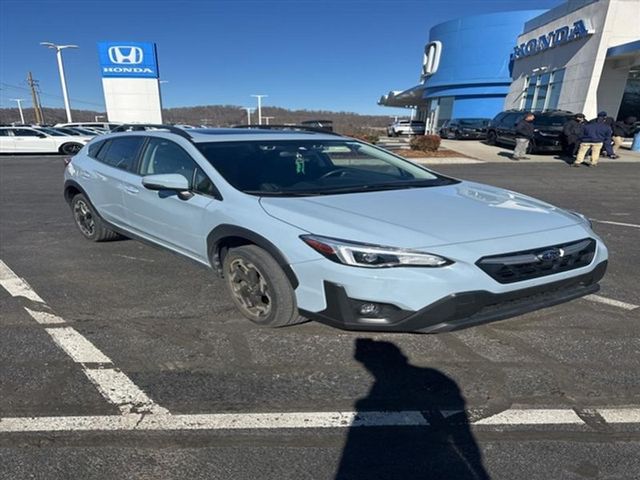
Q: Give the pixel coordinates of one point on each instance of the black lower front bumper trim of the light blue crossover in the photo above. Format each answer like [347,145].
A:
[457,310]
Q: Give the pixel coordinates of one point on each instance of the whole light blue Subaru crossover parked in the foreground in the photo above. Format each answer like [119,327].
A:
[307,224]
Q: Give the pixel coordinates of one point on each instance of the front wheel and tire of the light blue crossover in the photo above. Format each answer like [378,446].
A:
[259,287]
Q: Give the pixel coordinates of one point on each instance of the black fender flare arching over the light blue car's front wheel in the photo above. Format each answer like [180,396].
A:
[217,236]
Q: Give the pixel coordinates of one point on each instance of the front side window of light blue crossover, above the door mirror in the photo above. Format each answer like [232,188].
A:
[164,156]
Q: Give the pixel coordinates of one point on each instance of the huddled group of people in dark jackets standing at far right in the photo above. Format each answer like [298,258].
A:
[600,134]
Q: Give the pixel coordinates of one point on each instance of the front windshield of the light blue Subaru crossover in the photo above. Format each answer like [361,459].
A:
[314,167]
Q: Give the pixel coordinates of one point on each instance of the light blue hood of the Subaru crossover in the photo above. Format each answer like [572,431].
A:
[420,217]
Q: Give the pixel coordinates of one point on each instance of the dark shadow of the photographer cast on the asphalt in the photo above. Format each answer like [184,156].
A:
[445,449]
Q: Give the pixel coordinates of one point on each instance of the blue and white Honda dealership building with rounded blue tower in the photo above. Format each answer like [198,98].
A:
[582,56]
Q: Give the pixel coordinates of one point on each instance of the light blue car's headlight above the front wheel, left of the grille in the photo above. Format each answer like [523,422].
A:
[371,256]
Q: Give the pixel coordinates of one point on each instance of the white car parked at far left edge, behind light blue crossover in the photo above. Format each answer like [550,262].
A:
[39,140]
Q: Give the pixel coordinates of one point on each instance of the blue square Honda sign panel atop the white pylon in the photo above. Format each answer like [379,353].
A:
[128,59]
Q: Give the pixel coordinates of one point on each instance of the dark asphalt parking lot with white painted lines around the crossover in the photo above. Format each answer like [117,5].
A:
[121,361]
